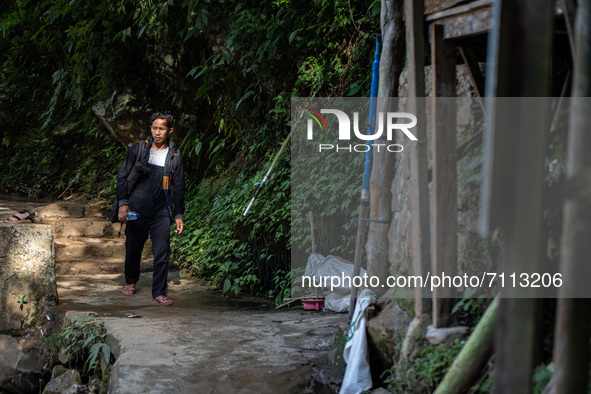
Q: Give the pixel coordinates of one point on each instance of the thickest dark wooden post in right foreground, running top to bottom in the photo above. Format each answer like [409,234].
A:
[512,187]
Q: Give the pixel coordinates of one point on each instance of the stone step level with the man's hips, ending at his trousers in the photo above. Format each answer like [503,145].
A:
[82,227]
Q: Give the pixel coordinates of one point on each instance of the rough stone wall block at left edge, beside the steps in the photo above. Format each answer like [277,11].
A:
[27,273]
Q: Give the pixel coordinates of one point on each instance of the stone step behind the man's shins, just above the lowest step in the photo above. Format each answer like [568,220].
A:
[89,266]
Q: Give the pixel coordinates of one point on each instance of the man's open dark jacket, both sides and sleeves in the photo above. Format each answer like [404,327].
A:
[134,168]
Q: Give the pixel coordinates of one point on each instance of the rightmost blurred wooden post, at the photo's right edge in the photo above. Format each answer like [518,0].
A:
[571,353]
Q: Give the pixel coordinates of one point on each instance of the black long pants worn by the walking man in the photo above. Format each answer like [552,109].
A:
[136,232]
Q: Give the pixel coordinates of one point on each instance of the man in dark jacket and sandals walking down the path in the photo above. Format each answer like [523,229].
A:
[151,170]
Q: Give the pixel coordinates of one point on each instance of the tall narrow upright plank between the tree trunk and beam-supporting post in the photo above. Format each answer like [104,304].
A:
[419,193]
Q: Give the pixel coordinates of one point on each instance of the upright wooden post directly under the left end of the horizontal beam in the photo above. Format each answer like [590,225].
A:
[445,193]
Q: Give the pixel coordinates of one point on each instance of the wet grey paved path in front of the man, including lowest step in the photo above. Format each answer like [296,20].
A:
[204,342]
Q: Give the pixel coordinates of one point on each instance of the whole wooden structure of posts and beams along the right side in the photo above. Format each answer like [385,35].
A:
[528,43]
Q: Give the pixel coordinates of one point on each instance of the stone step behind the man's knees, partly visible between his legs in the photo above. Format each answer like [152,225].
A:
[86,247]
